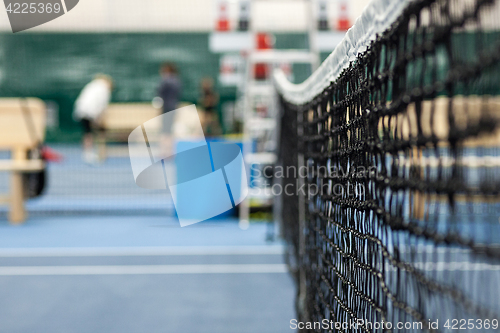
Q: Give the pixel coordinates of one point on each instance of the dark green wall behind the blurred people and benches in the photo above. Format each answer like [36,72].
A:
[56,66]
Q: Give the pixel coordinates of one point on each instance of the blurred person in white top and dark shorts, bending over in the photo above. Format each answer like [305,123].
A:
[89,106]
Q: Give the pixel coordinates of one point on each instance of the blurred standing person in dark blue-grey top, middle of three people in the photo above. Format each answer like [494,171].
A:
[169,91]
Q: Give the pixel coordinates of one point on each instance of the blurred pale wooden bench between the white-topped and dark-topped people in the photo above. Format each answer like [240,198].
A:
[120,119]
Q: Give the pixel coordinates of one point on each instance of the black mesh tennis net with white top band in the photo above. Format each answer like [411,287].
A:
[395,226]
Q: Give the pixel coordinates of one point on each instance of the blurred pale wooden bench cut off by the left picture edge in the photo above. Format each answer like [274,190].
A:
[16,136]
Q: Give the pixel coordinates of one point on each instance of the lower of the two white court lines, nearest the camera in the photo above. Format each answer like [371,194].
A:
[141,269]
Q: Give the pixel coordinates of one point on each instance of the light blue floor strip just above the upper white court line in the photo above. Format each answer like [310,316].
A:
[94,231]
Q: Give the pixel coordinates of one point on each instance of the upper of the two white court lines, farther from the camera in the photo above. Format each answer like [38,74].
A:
[141,251]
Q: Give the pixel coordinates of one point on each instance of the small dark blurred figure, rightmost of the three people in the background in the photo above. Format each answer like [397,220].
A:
[209,100]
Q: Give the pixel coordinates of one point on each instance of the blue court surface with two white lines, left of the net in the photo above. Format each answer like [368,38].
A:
[141,274]
